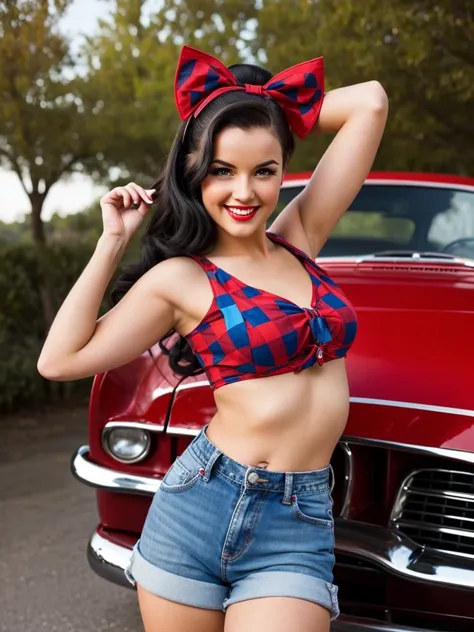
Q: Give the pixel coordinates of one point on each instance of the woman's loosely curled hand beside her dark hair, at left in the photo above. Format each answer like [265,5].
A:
[124,209]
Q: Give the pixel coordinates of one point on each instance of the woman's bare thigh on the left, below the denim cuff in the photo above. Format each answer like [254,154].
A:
[161,615]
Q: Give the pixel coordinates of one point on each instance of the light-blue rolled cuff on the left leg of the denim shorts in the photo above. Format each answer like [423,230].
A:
[189,592]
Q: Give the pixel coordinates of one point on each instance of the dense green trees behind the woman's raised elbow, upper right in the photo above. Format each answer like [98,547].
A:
[420,51]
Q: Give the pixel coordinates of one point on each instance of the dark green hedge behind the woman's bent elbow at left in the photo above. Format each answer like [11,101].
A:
[22,326]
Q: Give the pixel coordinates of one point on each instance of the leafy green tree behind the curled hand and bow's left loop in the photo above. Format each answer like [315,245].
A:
[132,65]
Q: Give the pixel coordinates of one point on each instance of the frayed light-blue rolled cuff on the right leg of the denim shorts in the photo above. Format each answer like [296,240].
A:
[285,584]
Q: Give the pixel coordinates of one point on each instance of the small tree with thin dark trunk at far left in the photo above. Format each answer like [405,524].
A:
[43,123]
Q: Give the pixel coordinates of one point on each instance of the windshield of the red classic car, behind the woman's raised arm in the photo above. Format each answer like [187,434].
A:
[401,218]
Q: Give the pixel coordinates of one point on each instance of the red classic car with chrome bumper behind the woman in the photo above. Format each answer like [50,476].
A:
[404,495]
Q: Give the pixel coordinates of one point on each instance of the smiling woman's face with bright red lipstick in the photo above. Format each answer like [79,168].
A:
[242,187]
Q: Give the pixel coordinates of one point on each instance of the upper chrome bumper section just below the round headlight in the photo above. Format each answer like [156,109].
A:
[105,478]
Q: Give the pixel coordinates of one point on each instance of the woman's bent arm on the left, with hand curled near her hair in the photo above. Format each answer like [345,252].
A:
[78,345]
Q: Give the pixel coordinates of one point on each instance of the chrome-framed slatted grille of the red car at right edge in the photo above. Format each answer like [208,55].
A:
[435,508]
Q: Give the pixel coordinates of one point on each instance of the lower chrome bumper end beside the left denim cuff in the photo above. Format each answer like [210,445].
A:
[108,560]
